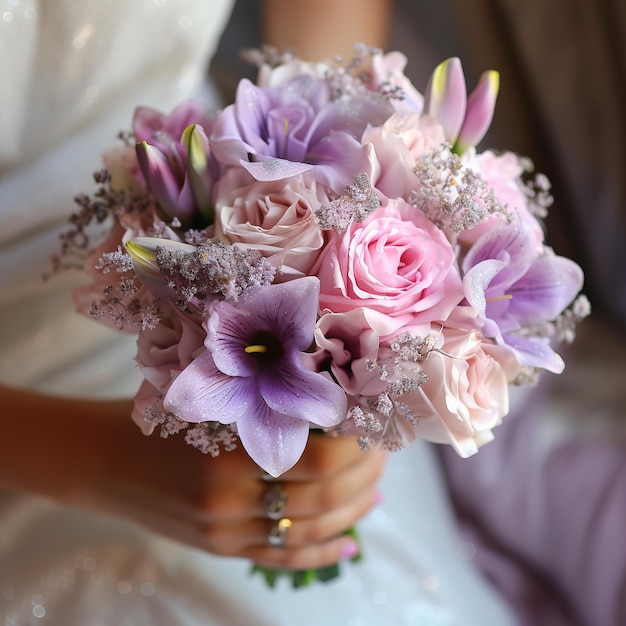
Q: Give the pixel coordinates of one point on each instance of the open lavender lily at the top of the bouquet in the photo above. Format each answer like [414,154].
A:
[270,129]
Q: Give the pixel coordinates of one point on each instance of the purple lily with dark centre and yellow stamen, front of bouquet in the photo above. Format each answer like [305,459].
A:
[252,374]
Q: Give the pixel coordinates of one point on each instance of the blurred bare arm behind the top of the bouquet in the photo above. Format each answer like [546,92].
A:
[317,29]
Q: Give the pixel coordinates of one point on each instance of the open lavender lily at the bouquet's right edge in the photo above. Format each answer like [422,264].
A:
[513,288]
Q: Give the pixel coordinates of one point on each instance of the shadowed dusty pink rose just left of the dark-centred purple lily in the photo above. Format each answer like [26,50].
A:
[162,353]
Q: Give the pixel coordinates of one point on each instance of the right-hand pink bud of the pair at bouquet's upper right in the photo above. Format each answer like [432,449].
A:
[480,108]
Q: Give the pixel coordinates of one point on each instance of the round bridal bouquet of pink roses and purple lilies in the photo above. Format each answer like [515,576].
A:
[331,252]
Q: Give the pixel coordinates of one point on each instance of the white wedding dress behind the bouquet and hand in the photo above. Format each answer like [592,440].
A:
[66,90]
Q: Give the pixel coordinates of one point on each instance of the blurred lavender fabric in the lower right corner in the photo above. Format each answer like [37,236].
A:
[546,511]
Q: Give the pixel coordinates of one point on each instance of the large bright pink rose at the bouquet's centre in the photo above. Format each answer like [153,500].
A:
[396,263]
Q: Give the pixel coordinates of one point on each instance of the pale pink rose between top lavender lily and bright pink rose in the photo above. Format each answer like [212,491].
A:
[397,146]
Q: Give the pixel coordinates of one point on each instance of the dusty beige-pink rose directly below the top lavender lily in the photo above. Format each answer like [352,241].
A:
[277,218]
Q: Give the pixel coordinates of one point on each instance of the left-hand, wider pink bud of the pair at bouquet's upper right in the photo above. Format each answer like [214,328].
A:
[446,97]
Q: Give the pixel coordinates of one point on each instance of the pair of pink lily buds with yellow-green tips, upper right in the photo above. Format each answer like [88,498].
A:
[464,120]
